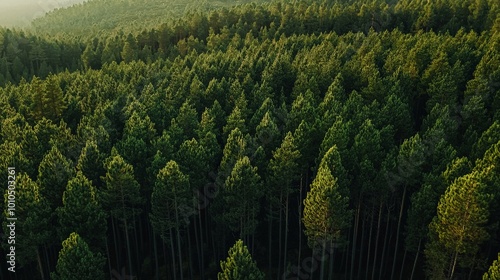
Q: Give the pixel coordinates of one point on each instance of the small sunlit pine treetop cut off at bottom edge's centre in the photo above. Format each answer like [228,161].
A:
[239,265]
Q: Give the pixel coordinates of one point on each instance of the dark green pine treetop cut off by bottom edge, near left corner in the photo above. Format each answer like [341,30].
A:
[76,261]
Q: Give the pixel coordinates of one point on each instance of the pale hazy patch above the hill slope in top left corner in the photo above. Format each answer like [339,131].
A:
[21,12]
